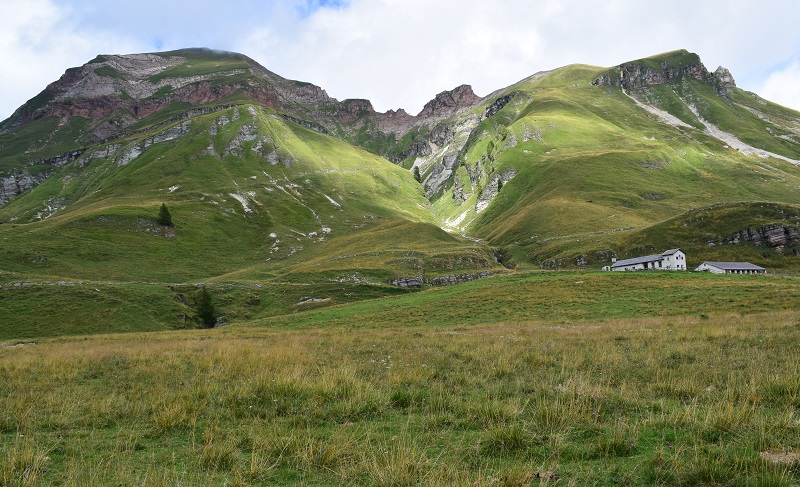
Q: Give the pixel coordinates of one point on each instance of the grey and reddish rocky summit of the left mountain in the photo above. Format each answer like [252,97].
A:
[142,84]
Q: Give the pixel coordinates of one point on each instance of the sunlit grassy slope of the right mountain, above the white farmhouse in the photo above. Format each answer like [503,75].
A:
[598,163]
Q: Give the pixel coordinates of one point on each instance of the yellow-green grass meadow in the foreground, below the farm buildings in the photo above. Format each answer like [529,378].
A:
[657,388]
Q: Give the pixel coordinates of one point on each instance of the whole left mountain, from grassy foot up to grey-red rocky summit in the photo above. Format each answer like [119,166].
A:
[255,184]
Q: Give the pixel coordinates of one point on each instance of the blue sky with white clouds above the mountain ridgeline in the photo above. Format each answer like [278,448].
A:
[401,53]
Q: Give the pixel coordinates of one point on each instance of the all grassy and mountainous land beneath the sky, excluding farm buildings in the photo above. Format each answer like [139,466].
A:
[213,275]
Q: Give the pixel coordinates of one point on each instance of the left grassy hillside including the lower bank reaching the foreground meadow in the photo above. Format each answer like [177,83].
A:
[107,236]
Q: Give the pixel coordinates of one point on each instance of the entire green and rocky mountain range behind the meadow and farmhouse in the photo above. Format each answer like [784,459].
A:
[272,180]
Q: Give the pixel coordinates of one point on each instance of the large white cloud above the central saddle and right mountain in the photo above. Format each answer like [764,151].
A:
[400,53]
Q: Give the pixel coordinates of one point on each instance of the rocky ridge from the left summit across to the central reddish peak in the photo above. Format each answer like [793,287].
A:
[115,92]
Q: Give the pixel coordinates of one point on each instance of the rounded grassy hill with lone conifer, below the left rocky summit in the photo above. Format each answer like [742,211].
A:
[248,192]
